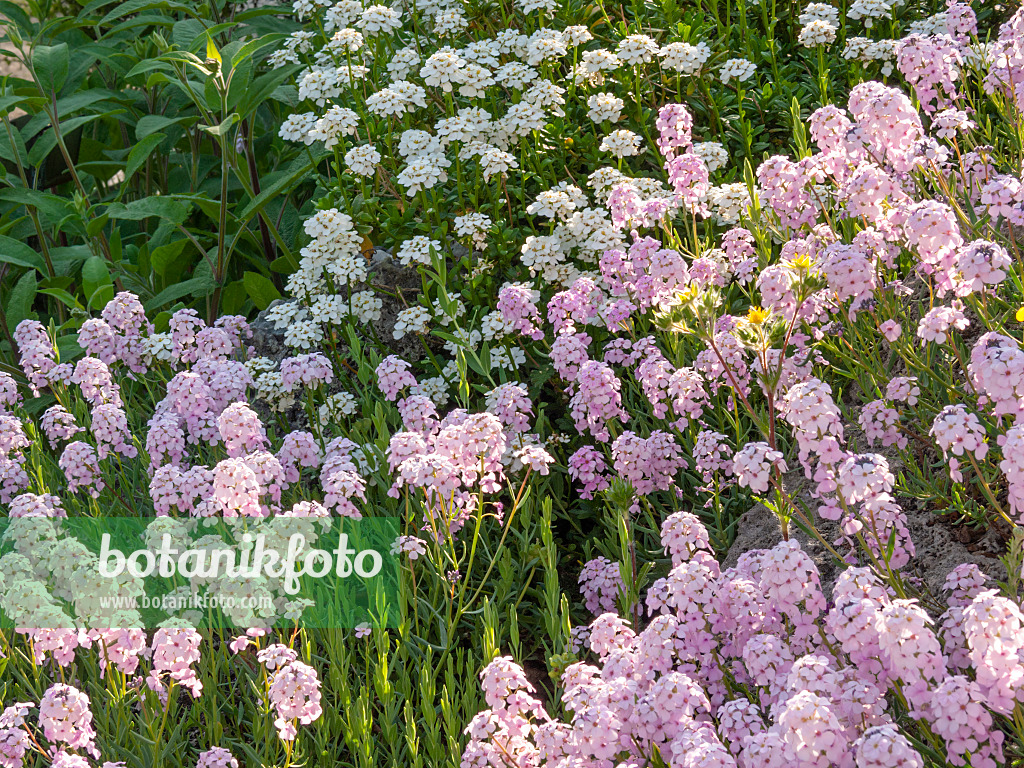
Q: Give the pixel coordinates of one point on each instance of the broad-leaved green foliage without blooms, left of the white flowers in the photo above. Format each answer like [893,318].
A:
[141,153]
